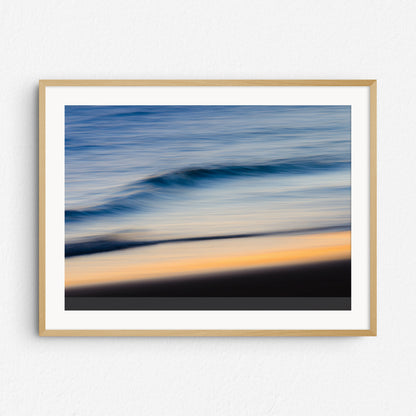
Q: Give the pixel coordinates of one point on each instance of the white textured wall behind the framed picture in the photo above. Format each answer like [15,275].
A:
[207,39]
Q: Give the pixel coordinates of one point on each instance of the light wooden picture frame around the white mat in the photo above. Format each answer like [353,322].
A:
[212,333]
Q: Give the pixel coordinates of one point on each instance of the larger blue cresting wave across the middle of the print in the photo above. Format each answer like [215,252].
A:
[137,195]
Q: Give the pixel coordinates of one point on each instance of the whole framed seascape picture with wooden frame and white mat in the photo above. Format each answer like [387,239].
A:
[207,207]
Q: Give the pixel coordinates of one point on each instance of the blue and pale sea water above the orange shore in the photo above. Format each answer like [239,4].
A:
[145,174]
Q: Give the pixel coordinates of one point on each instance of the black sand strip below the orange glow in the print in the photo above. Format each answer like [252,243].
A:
[316,280]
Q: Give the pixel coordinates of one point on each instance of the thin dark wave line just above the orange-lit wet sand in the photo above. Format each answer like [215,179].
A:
[115,242]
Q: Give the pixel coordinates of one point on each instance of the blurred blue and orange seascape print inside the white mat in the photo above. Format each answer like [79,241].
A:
[207,207]
